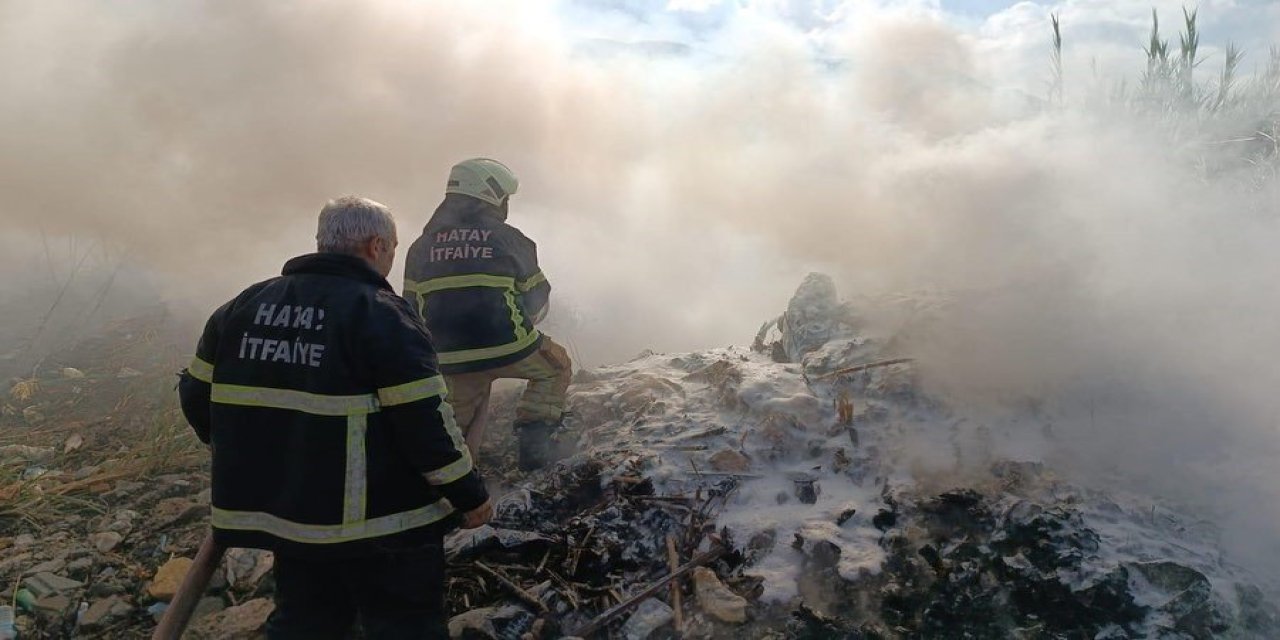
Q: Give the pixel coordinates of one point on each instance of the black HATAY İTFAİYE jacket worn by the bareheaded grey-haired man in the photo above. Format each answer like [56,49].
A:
[319,395]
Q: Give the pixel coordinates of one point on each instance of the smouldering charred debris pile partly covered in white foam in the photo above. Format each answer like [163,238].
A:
[799,460]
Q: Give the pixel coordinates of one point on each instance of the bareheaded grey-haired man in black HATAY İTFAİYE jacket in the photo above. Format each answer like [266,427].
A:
[333,445]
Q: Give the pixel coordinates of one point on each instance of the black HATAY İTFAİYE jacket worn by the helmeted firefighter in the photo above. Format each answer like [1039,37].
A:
[476,281]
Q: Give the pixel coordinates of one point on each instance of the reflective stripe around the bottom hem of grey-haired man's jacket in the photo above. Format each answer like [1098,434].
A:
[331,534]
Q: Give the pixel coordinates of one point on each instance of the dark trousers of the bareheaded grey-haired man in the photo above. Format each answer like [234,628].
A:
[397,595]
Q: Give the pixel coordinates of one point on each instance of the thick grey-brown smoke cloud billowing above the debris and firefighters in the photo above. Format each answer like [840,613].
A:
[679,194]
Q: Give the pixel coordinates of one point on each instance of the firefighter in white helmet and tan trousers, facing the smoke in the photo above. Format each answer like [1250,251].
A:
[477,282]
